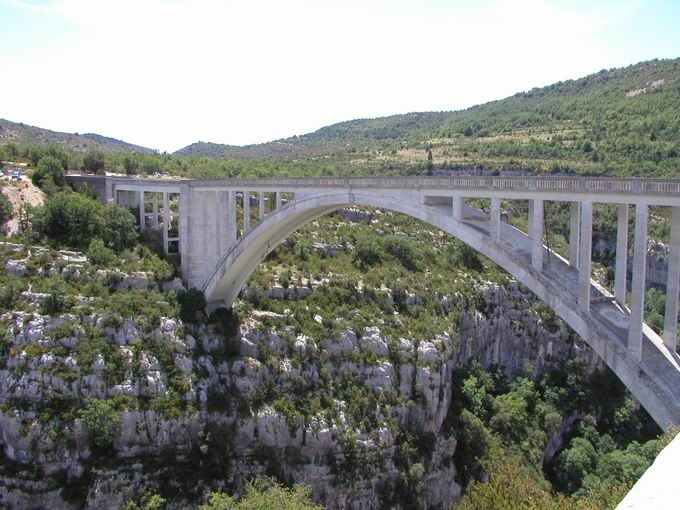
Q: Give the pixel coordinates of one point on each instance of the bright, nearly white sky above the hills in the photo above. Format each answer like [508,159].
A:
[166,73]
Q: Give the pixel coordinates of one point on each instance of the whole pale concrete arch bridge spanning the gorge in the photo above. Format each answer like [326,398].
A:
[224,228]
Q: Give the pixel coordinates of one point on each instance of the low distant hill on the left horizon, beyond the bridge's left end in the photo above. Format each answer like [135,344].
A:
[22,133]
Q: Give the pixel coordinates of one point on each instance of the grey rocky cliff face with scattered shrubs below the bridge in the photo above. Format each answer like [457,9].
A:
[202,409]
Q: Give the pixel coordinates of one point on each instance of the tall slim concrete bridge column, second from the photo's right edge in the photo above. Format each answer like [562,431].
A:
[637,305]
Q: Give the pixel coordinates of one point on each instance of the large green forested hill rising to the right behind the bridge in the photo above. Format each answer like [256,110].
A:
[624,121]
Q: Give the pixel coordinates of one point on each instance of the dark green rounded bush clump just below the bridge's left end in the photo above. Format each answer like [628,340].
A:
[74,220]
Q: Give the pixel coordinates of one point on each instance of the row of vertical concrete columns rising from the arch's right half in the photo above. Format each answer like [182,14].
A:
[580,258]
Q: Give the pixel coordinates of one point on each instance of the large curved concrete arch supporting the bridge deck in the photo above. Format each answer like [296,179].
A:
[654,381]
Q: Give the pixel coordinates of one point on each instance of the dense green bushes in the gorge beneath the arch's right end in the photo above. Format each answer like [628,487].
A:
[503,429]
